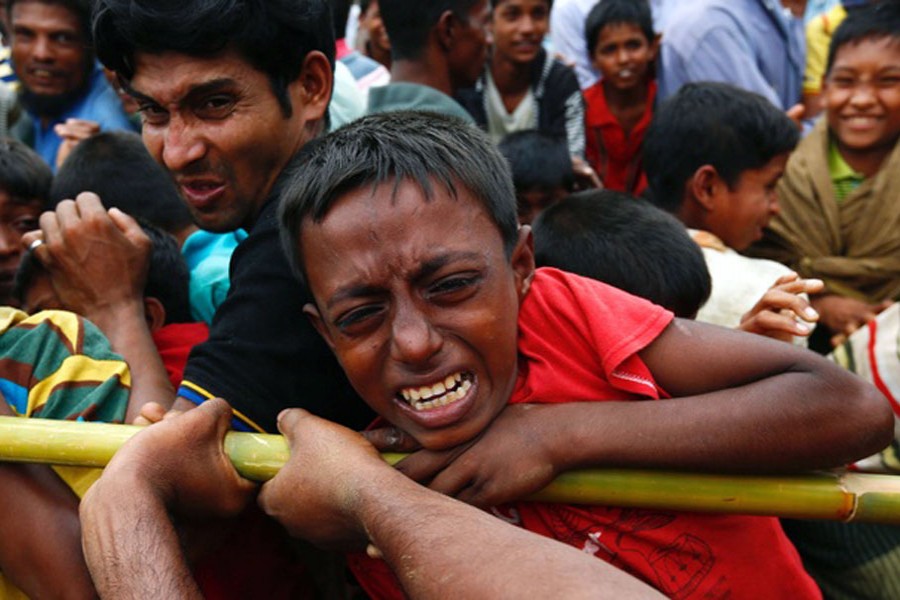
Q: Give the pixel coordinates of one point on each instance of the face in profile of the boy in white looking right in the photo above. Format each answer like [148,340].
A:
[744,210]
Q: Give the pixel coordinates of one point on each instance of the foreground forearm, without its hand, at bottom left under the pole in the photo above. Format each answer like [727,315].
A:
[132,548]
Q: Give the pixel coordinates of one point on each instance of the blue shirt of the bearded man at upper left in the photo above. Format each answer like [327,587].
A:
[100,104]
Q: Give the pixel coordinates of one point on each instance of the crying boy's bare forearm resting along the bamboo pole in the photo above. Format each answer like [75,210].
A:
[744,429]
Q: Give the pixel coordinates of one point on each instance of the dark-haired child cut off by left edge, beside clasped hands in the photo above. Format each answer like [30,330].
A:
[24,184]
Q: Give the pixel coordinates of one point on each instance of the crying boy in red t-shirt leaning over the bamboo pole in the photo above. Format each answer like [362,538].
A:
[425,289]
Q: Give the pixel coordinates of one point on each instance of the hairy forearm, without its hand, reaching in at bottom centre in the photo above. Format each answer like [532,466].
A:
[431,543]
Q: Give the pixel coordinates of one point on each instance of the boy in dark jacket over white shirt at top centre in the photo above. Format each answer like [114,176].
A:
[523,87]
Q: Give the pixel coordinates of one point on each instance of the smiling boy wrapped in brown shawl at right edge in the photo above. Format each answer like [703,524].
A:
[840,218]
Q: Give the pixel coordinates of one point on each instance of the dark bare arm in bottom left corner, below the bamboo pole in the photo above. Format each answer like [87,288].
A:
[41,532]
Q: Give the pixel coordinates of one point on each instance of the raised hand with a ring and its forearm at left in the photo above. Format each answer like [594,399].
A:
[98,263]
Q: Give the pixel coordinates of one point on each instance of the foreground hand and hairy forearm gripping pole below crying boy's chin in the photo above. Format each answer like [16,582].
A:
[336,488]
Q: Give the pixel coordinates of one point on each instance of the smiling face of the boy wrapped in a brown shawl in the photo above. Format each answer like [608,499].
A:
[862,94]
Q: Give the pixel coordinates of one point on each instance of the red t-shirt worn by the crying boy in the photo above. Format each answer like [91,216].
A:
[578,342]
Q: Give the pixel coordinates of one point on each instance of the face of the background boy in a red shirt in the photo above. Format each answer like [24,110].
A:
[623,55]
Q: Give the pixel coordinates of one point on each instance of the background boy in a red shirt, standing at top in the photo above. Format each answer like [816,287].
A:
[623,47]
